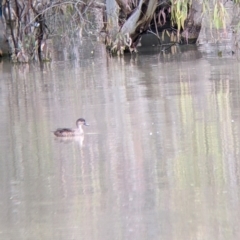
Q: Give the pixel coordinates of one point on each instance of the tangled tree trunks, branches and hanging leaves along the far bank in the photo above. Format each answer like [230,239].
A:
[26,32]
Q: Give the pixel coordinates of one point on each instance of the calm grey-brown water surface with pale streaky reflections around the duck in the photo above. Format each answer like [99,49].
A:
[160,158]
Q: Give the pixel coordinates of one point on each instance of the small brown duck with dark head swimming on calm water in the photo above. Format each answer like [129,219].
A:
[69,132]
